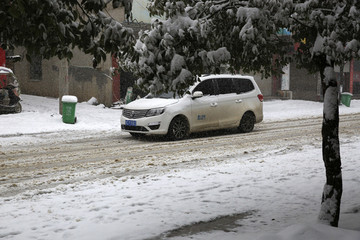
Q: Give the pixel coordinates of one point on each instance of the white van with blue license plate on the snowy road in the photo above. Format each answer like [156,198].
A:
[215,102]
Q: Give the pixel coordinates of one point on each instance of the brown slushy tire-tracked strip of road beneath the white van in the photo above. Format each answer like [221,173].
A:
[61,161]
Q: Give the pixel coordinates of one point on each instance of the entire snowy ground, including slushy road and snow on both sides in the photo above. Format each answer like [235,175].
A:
[79,182]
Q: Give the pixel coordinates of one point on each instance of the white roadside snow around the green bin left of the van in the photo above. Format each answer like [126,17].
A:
[41,114]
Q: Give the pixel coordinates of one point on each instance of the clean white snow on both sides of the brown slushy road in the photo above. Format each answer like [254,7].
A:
[284,200]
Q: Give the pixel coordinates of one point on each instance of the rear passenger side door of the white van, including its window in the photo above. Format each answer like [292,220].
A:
[229,103]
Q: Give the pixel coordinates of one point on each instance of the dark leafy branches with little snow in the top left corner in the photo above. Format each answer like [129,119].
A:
[53,28]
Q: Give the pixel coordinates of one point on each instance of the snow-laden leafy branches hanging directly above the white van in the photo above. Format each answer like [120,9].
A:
[208,35]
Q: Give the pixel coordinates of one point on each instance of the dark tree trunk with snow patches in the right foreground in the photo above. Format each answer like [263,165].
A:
[331,197]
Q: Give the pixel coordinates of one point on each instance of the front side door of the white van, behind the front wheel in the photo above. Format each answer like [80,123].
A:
[204,110]
